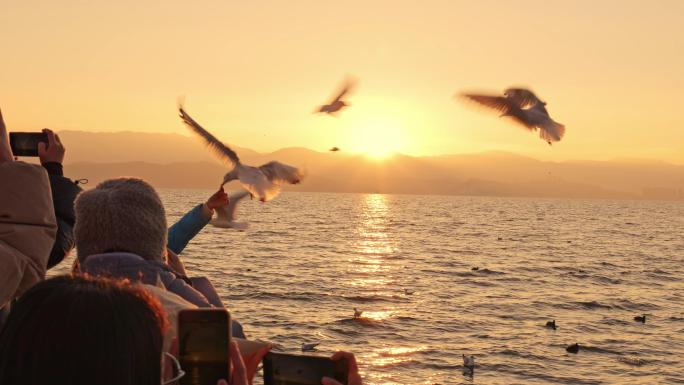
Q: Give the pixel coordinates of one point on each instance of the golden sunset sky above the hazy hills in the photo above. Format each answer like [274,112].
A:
[252,72]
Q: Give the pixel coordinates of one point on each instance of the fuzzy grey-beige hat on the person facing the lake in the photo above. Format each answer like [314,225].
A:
[123,214]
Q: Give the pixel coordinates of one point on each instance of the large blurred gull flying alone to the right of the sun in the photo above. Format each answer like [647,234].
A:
[525,108]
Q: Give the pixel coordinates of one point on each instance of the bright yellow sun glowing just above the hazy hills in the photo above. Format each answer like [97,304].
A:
[377,138]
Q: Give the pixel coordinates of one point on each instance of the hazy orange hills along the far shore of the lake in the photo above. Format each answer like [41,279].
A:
[172,160]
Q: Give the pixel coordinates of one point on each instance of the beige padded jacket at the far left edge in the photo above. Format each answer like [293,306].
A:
[27,227]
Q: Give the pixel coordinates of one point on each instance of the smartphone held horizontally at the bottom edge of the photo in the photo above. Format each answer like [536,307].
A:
[292,369]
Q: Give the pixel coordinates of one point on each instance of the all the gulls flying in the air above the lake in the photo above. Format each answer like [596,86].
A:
[264,182]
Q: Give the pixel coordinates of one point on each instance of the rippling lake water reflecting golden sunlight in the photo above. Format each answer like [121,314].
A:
[592,265]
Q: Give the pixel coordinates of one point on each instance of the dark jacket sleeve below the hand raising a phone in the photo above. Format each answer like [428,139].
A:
[64,193]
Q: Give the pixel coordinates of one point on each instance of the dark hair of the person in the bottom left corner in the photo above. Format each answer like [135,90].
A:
[82,330]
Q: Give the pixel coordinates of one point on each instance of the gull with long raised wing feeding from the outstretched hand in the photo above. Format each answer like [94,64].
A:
[263,182]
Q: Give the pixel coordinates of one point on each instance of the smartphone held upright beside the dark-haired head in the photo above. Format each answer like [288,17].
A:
[204,339]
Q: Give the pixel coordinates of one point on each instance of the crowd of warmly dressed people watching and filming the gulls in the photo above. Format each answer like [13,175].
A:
[113,320]
